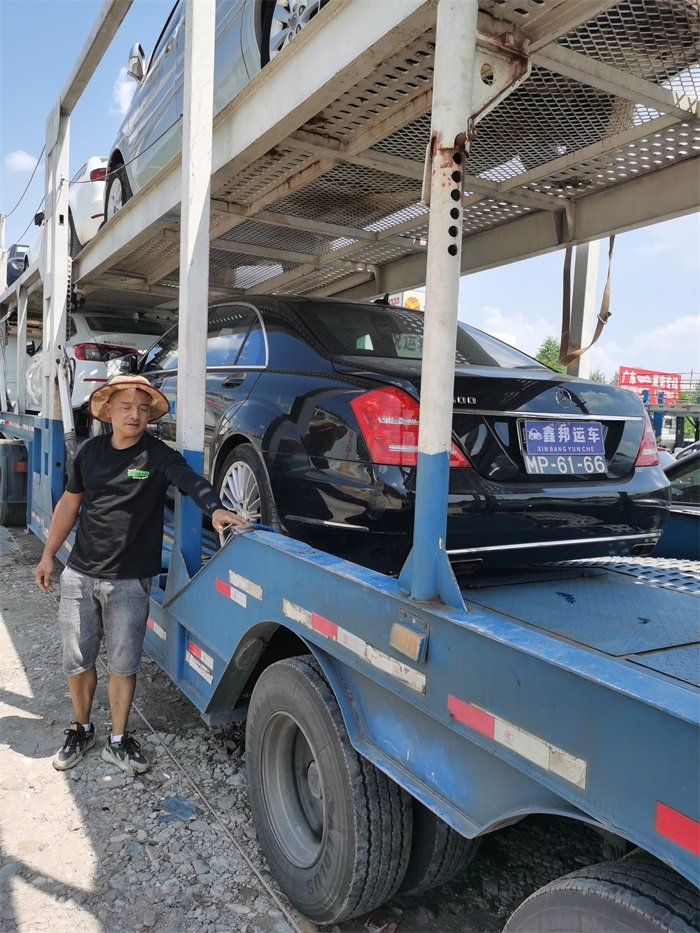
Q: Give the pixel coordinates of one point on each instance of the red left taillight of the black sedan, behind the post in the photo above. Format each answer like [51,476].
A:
[388,420]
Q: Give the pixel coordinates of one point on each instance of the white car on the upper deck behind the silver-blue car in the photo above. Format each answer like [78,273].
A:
[86,194]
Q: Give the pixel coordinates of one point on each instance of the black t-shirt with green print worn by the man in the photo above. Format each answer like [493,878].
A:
[120,527]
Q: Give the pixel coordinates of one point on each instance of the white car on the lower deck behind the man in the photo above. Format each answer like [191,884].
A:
[93,340]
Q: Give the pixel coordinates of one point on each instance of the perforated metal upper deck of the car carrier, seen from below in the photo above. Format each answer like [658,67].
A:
[316,181]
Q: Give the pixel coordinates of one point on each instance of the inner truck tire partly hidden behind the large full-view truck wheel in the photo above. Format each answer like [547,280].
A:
[438,853]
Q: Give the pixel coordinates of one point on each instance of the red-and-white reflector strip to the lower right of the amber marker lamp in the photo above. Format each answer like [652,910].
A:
[529,746]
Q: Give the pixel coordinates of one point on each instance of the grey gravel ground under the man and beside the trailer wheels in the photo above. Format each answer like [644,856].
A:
[175,849]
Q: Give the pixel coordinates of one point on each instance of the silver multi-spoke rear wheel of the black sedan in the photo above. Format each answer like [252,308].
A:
[244,488]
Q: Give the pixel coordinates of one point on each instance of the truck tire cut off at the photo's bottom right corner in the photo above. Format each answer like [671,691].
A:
[637,894]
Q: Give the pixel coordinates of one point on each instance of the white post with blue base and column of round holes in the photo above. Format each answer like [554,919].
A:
[427,573]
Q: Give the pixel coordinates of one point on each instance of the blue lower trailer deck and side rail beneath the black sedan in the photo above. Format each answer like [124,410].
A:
[568,689]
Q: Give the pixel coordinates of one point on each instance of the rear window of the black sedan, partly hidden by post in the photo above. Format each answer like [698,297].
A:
[397,333]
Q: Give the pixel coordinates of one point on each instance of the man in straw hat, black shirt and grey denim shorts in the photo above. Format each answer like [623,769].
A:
[116,491]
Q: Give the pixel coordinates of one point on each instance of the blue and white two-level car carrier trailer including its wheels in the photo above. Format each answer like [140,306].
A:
[393,722]
